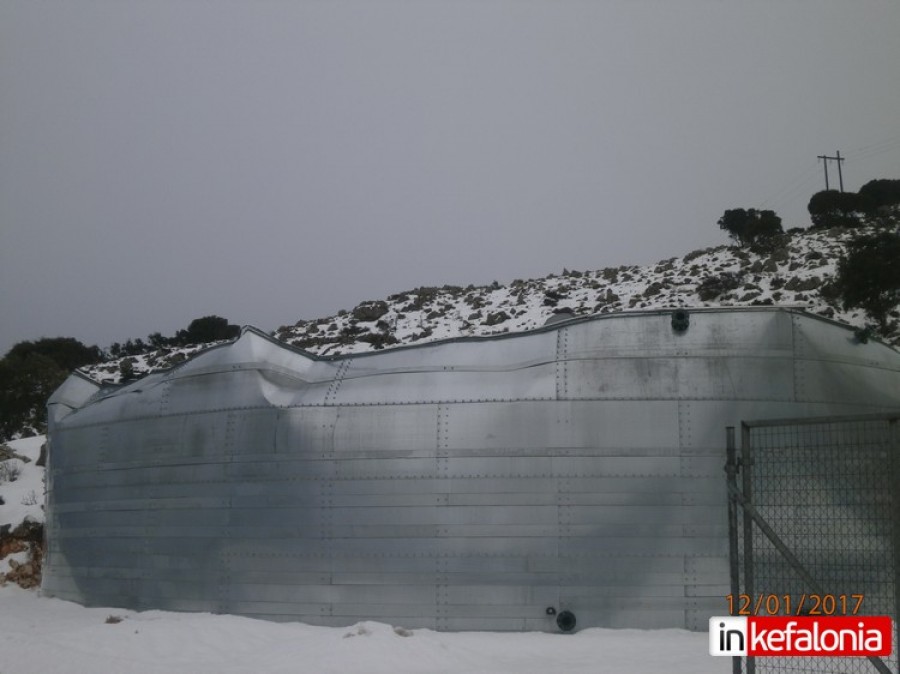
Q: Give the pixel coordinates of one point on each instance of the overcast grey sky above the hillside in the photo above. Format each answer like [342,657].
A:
[271,161]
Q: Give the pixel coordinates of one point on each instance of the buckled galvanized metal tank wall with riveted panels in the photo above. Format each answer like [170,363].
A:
[483,483]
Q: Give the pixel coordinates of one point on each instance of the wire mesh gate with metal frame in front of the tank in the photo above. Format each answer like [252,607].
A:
[814,527]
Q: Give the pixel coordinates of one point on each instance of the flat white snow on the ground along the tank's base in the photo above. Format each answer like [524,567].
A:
[40,635]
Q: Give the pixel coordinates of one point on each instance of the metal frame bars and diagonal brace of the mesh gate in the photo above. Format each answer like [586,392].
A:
[743,515]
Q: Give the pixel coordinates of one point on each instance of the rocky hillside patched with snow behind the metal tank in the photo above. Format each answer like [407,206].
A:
[795,271]
